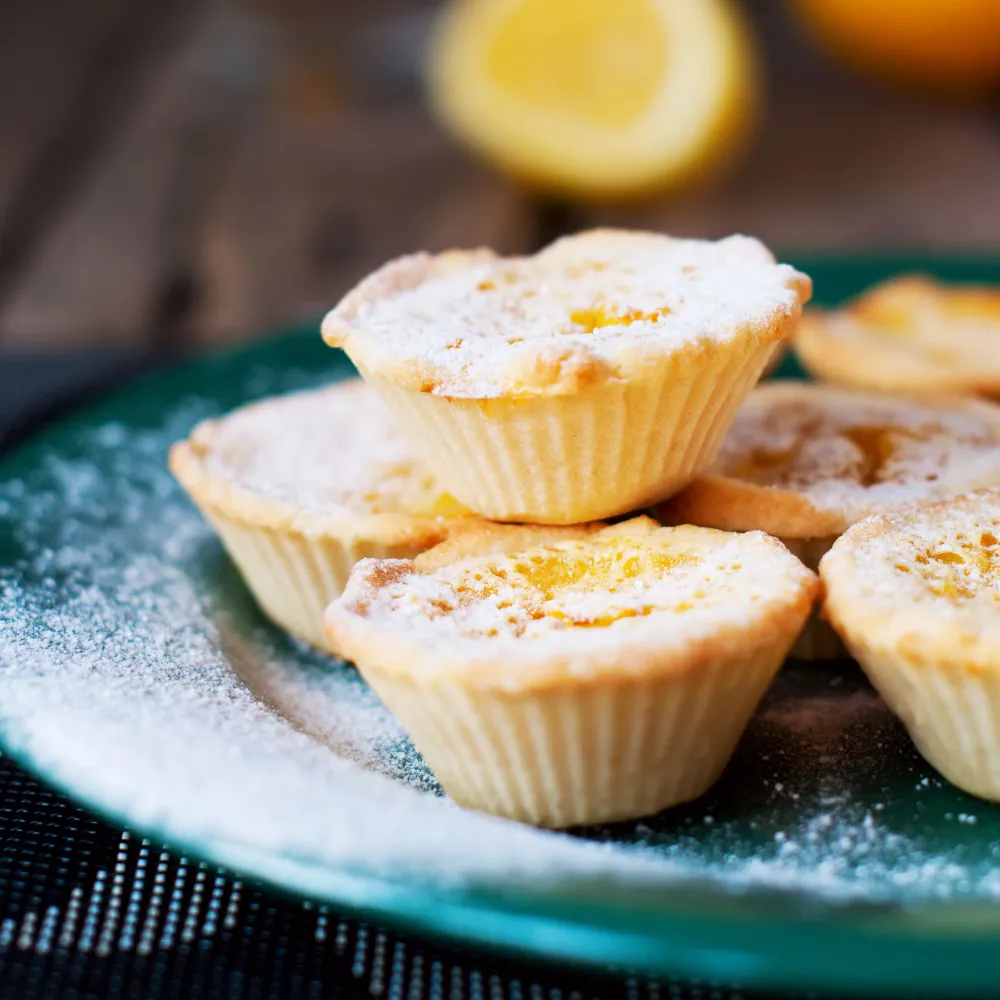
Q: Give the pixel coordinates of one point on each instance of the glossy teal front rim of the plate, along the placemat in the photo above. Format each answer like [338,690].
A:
[748,954]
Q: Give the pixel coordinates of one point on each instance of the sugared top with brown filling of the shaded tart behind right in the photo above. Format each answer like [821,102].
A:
[861,453]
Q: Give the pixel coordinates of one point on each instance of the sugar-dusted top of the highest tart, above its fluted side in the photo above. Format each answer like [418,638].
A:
[596,306]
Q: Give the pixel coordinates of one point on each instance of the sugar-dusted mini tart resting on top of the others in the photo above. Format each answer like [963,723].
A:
[583,382]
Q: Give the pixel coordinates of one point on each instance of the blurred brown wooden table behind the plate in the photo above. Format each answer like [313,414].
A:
[173,173]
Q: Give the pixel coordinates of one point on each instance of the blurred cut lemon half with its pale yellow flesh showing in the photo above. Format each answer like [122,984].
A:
[596,98]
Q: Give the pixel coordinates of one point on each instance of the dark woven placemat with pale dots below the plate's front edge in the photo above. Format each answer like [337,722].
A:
[90,911]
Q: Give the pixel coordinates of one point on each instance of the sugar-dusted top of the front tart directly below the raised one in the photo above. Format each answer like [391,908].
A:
[672,582]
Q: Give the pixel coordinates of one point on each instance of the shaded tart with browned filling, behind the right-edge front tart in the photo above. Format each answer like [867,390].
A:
[805,461]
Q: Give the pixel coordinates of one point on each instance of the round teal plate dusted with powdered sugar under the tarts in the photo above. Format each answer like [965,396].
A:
[137,676]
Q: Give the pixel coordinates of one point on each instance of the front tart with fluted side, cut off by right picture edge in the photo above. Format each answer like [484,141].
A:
[916,597]
